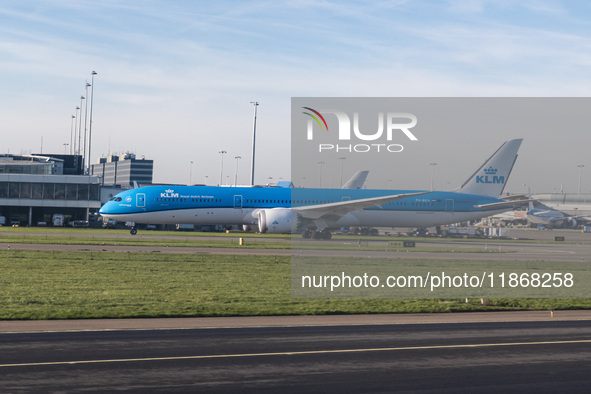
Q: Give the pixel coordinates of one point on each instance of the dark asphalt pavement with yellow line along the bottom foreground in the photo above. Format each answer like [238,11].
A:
[542,356]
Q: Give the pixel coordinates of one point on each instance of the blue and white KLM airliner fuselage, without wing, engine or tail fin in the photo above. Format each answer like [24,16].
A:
[204,205]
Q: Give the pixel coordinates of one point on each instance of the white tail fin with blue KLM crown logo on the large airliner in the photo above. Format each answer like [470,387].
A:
[490,179]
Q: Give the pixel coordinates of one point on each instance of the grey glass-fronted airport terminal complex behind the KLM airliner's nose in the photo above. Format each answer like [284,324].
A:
[34,189]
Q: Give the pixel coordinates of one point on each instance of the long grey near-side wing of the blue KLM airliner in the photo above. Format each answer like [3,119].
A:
[334,211]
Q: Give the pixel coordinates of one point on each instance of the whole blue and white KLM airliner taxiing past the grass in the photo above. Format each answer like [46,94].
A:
[314,212]
